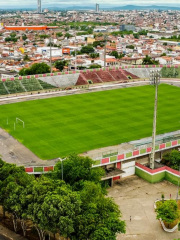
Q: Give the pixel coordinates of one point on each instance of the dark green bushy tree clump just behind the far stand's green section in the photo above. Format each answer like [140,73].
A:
[36,68]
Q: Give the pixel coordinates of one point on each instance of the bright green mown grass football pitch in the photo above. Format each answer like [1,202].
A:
[58,126]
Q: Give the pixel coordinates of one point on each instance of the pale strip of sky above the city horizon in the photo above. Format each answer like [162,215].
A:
[61,3]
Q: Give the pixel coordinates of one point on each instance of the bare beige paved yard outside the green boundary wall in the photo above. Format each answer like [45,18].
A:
[135,198]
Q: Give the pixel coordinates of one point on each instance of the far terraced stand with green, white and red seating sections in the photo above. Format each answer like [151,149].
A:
[69,80]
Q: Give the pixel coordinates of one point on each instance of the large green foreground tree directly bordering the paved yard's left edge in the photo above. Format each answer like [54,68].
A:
[100,216]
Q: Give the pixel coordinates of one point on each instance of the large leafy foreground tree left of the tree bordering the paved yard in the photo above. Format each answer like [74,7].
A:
[53,207]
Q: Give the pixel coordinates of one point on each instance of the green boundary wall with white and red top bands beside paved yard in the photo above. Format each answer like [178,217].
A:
[157,175]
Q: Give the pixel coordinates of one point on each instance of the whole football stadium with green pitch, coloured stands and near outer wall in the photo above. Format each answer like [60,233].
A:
[106,114]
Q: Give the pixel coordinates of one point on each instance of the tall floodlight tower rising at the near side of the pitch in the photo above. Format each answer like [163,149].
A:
[154,80]
